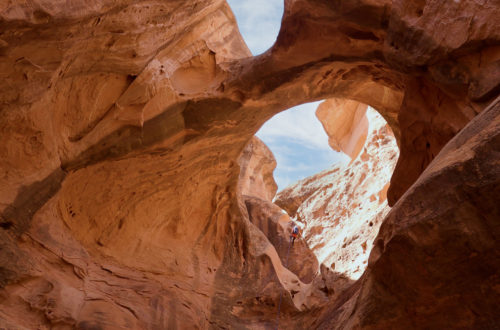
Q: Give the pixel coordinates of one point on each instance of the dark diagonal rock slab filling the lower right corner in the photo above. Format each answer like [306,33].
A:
[436,260]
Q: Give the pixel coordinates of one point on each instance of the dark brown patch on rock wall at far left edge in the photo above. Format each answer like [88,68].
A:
[17,216]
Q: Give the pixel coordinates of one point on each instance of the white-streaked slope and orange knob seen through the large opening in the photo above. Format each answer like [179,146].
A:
[343,207]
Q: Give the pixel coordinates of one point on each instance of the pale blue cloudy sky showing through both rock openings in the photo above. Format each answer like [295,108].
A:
[295,136]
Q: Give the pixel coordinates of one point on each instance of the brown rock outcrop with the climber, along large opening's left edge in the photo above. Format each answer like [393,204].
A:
[288,277]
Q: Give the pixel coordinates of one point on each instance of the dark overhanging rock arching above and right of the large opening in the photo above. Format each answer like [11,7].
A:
[392,56]
